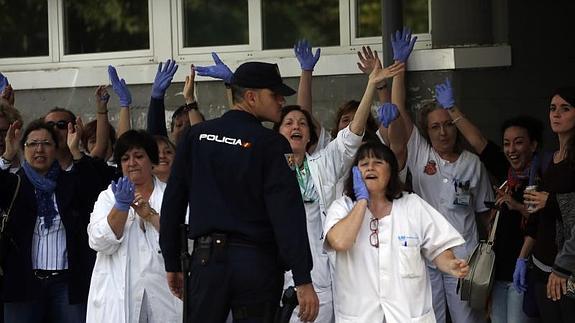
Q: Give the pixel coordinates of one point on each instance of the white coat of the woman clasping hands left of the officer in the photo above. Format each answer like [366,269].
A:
[128,268]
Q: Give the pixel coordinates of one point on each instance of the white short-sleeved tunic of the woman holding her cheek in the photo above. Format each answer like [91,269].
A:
[390,282]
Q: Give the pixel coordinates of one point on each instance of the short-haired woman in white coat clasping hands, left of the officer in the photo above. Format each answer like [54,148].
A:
[129,281]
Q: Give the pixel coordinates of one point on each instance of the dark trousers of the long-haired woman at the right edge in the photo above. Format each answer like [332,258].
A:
[561,311]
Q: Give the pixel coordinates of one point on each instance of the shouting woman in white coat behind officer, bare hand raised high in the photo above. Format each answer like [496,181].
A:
[318,174]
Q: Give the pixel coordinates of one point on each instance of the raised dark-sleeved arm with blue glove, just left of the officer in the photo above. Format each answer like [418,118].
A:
[156,120]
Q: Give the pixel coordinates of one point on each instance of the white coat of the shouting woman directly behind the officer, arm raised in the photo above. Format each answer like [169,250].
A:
[326,166]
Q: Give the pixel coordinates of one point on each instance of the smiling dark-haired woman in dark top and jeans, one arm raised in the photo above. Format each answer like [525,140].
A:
[518,165]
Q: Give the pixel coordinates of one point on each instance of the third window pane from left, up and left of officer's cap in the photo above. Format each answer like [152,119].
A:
[215,23]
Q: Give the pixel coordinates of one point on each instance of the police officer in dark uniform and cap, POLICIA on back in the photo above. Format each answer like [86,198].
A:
[246,212]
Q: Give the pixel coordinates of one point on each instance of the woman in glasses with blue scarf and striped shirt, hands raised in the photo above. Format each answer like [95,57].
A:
[47,260]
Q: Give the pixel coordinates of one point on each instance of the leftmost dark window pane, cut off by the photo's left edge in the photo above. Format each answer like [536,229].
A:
[24,29]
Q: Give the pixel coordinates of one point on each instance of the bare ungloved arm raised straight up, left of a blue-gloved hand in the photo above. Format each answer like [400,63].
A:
[102,123]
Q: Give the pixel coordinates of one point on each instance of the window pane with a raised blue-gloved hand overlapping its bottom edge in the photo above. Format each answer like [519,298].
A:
[284,22]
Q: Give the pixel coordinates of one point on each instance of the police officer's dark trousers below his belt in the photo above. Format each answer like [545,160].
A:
[247,280]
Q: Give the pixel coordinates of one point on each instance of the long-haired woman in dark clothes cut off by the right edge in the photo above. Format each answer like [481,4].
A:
[553,220]
